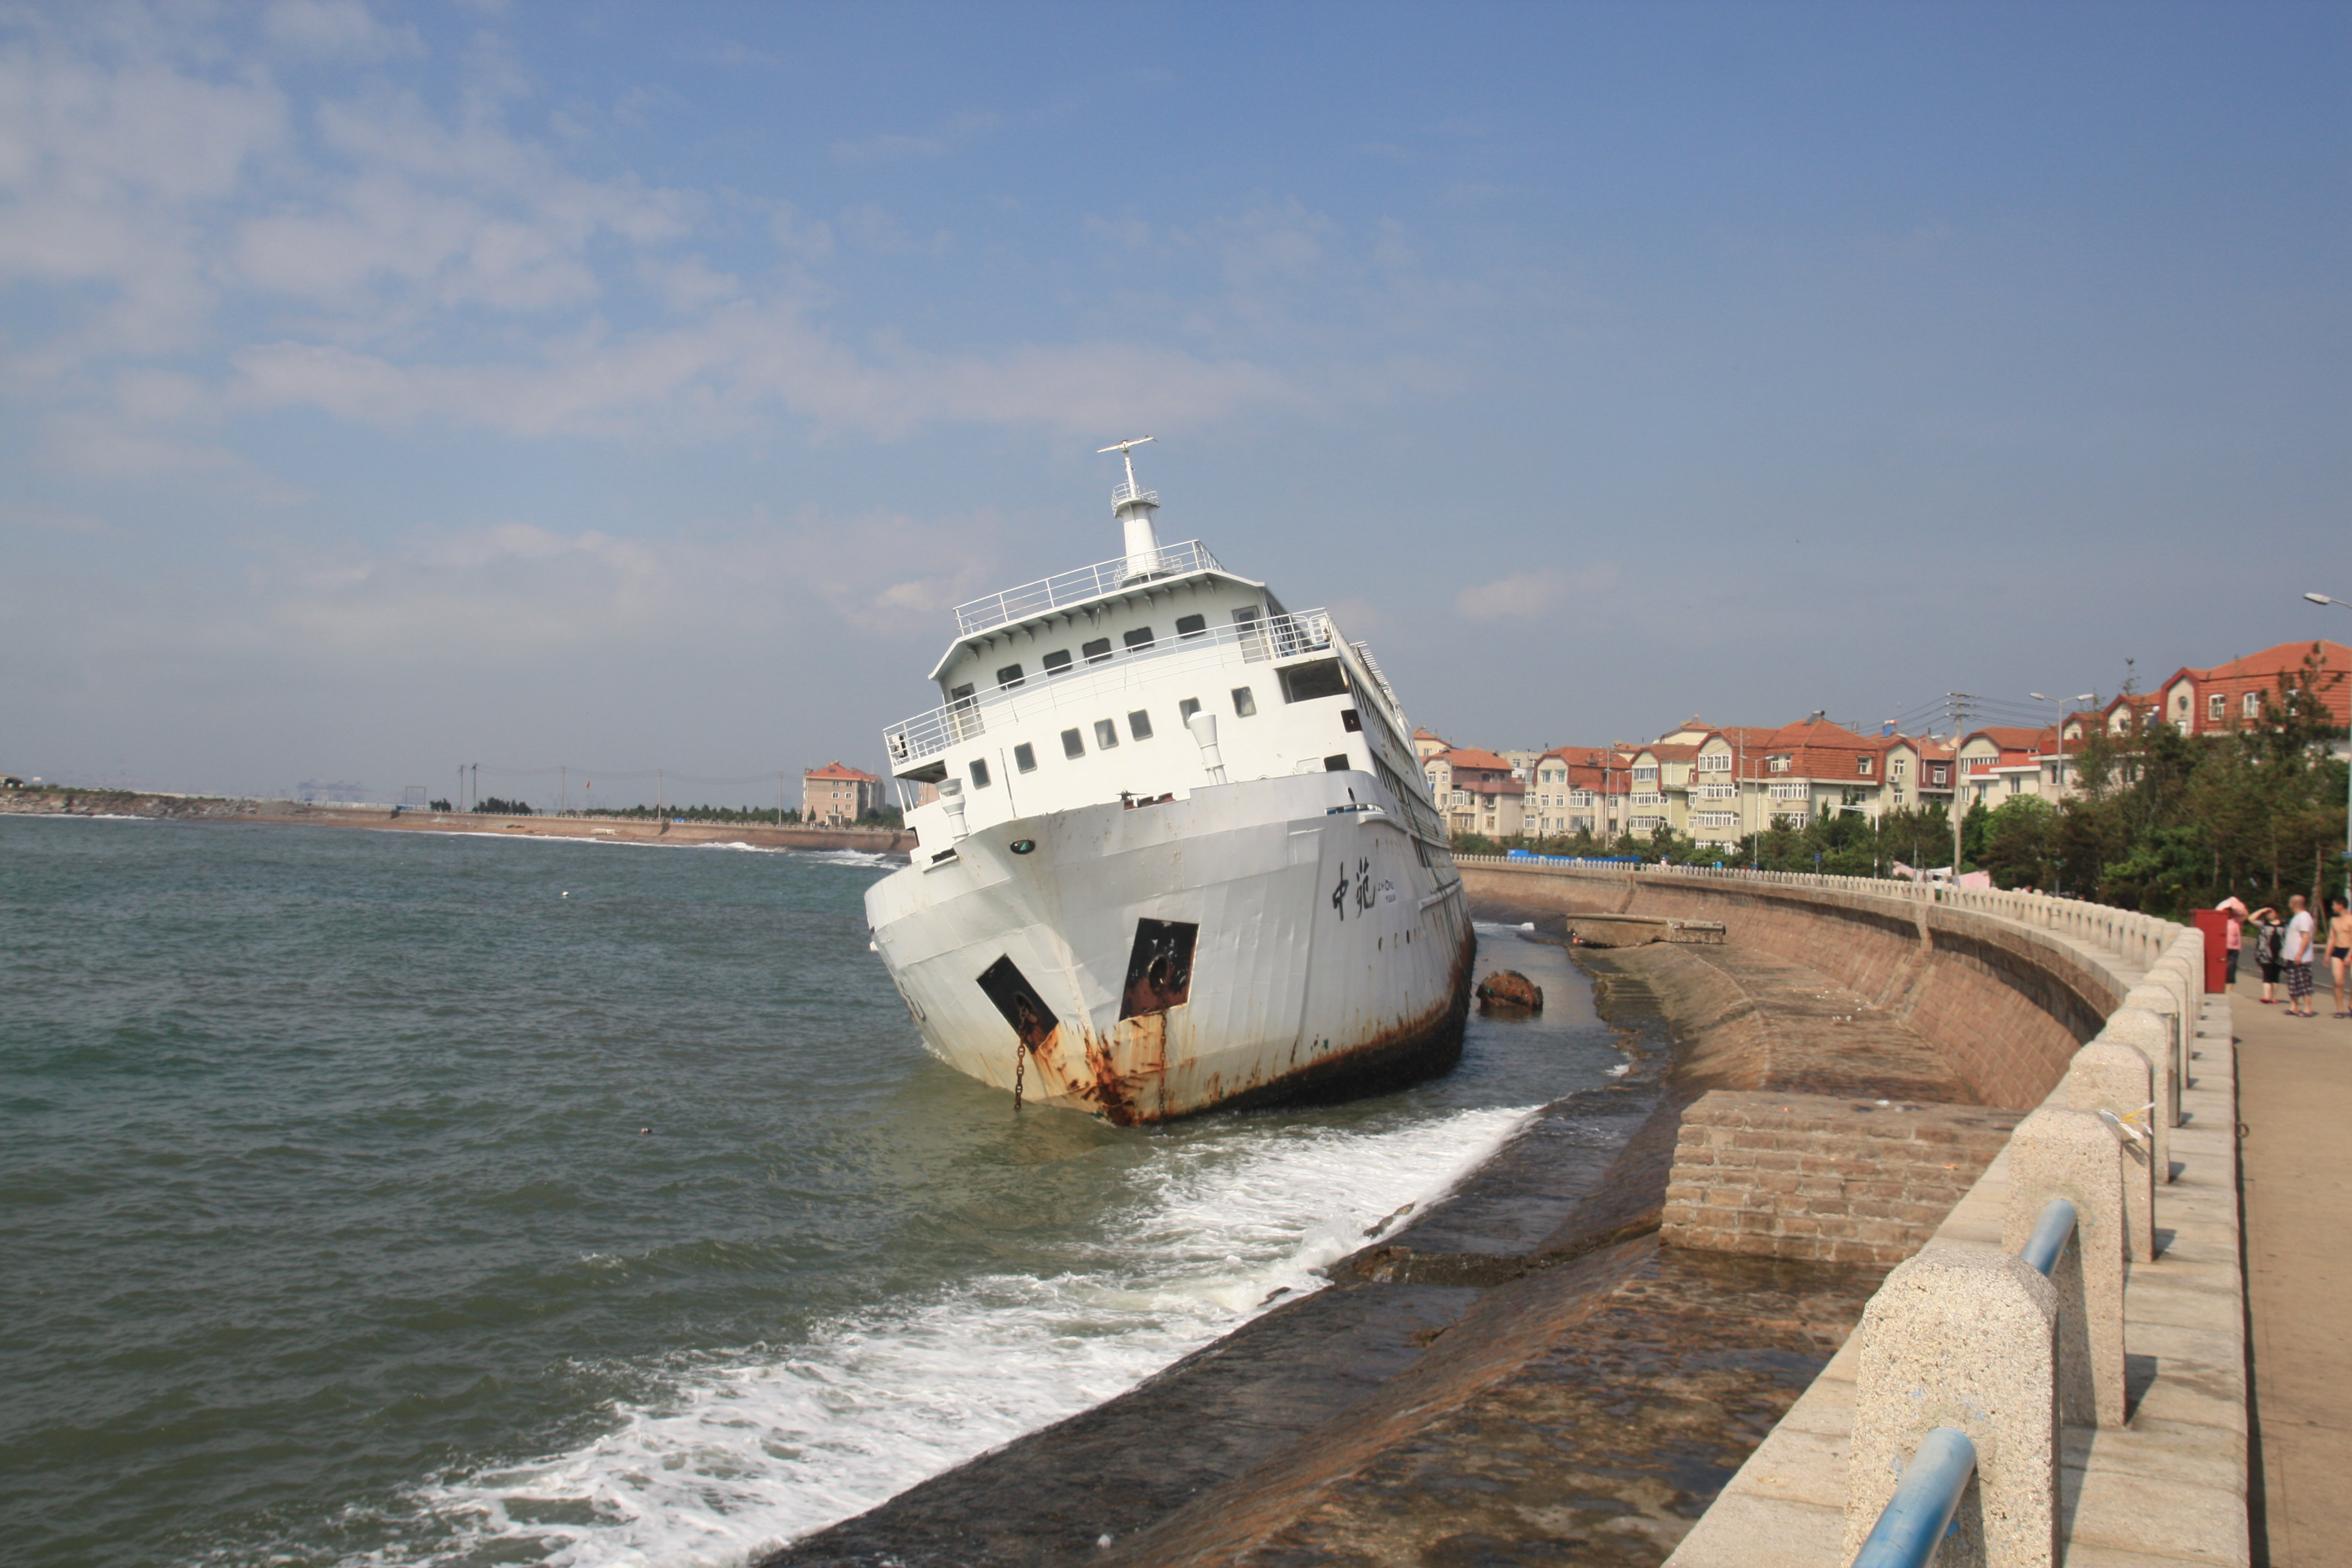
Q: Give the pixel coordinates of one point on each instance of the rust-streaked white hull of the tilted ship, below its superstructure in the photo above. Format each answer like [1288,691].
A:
[1323,953]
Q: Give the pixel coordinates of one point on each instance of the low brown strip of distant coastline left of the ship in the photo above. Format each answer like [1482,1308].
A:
[387,819]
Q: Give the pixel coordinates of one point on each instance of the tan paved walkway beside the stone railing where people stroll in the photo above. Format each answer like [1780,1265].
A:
[2294,1085]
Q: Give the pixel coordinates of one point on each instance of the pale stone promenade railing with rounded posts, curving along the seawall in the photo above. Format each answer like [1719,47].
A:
[2104,1407]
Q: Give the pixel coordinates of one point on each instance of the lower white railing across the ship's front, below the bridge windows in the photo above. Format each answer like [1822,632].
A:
[968,718]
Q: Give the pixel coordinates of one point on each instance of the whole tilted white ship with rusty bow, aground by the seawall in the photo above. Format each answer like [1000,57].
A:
[1175,850]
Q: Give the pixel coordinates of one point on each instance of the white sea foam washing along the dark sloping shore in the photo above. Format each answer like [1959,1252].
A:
[759,1447]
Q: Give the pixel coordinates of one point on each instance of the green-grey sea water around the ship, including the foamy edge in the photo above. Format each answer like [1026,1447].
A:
[394,1198]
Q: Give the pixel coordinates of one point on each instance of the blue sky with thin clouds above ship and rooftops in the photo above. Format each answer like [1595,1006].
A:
[639,387]
